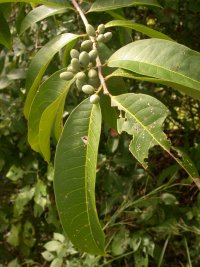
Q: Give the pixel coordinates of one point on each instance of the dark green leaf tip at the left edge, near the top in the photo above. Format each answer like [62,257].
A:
[5,36]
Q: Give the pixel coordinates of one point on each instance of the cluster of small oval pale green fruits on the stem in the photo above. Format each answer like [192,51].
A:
[83,63]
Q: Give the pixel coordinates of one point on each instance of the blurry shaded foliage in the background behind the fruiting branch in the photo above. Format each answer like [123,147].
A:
[151,217]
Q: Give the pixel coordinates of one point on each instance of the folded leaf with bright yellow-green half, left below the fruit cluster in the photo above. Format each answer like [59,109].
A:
[51,95]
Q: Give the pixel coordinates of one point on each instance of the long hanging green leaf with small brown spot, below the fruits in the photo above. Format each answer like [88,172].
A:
[74,182]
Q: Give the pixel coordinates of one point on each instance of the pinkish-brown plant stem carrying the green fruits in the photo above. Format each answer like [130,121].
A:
[98,61]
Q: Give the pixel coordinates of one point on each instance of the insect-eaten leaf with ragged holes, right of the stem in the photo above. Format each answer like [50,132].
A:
[144,117]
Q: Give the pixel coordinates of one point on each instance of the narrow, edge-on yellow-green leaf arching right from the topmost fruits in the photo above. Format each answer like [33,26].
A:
[138,27]
